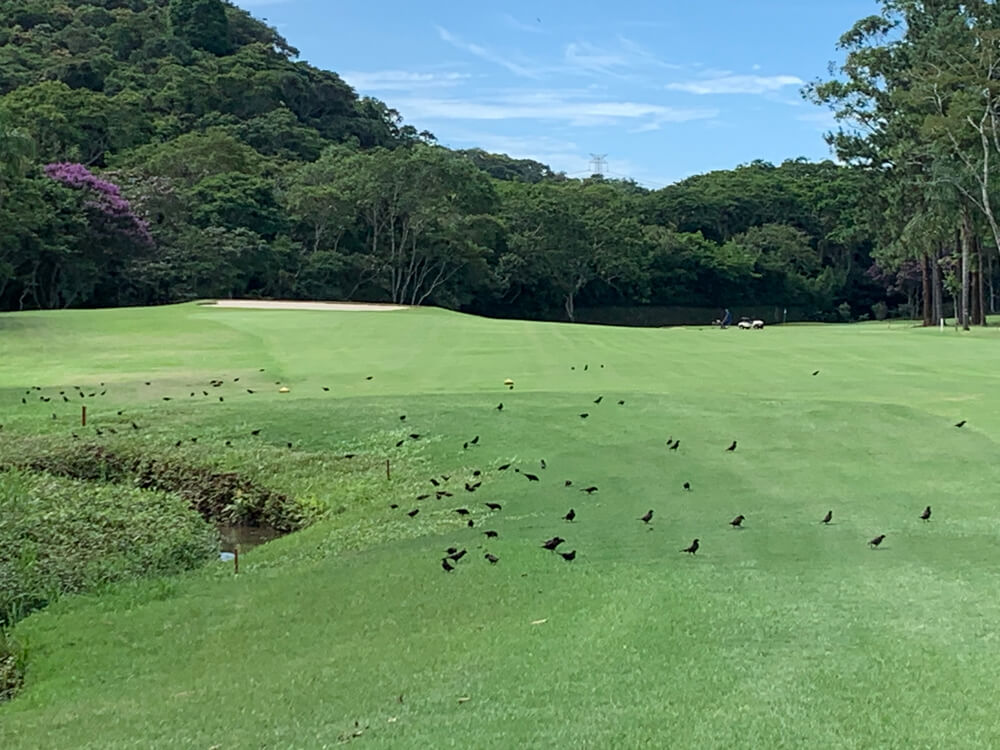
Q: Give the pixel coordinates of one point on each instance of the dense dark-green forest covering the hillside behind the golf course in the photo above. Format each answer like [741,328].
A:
[155,151]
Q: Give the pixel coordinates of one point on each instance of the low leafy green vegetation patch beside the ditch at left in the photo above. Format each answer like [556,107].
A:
[61,536]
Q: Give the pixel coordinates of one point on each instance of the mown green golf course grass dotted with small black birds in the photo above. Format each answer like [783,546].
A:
[785,634]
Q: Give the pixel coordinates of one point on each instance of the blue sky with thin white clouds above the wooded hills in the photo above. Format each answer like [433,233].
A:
[666,89]
